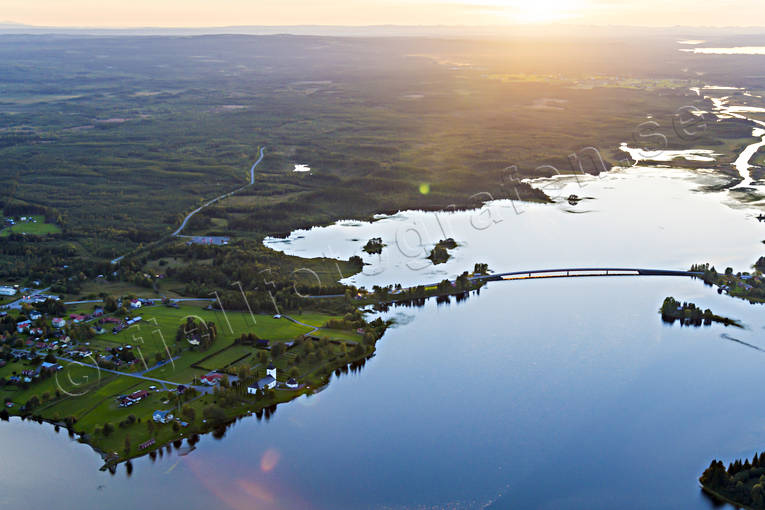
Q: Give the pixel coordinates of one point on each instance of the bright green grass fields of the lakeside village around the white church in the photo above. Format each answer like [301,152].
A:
[90,395]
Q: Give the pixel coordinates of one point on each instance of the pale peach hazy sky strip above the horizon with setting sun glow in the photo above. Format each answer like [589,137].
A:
[174,13]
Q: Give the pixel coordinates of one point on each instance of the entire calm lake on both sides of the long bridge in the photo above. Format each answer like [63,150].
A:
[562,393]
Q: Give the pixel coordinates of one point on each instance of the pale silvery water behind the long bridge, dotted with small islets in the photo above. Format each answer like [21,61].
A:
[636,217]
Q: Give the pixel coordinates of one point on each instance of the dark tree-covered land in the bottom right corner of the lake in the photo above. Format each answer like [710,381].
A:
[741,484]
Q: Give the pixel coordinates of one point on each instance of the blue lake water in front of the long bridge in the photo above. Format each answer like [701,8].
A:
[470,404]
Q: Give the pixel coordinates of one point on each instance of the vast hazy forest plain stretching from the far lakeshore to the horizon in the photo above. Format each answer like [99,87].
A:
[115,139]
